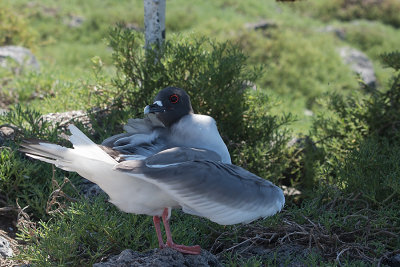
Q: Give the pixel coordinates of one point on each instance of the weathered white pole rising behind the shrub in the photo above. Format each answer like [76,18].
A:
[154,22]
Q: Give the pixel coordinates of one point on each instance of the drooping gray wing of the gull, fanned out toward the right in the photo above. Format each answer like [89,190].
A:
[224,193]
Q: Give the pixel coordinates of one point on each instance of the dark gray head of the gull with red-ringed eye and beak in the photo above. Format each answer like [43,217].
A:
[170,104]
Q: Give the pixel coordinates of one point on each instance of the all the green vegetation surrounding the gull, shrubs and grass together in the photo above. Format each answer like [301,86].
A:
[345,162]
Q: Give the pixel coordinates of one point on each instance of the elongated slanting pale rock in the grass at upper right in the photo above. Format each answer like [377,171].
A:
[360,64]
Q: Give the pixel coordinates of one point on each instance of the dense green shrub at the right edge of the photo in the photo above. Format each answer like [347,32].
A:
[359,139]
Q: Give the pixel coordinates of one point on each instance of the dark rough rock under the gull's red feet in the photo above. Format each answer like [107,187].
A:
[159,258]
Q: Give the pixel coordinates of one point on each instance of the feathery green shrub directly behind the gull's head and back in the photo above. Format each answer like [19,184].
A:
[216,77]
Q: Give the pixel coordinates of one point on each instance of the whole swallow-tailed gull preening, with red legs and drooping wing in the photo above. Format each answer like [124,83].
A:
[172,158]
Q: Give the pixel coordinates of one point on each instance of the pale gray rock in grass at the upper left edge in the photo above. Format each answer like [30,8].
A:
[20,55]
